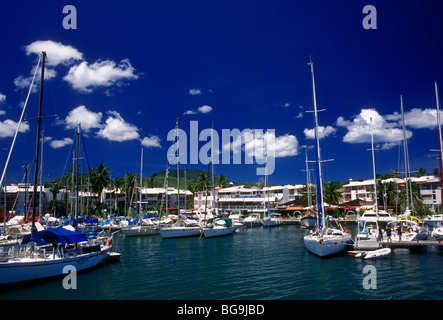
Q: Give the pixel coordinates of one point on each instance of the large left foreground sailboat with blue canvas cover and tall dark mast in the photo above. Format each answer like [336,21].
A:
[45,253]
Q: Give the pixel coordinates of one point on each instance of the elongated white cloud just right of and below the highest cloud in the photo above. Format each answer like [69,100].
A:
[84,77]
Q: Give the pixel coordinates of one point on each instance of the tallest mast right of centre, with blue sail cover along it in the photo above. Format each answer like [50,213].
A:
[320,203]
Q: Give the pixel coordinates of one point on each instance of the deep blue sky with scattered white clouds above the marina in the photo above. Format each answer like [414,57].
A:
[130,69]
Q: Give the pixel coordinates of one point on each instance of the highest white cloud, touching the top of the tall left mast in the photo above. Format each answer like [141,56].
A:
[56,52]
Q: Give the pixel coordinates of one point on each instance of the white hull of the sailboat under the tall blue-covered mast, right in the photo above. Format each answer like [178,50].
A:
[326,246]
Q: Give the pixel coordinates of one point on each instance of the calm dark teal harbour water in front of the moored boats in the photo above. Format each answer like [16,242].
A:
[253,264]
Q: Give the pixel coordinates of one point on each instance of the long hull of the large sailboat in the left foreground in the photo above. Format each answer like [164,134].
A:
[27,269]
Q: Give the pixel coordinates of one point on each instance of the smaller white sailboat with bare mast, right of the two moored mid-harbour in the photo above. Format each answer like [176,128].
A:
[220,226]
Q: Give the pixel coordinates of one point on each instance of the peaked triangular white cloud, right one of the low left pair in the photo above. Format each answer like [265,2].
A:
[117,129]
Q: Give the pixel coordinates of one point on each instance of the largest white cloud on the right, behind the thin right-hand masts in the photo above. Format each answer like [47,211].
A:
[359,129]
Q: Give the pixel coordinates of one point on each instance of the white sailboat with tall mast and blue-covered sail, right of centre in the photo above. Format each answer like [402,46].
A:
[325,241]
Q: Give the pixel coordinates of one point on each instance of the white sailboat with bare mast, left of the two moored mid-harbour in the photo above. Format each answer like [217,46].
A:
[183,227]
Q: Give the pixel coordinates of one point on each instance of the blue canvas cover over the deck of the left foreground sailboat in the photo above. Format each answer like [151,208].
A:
[51,235]
